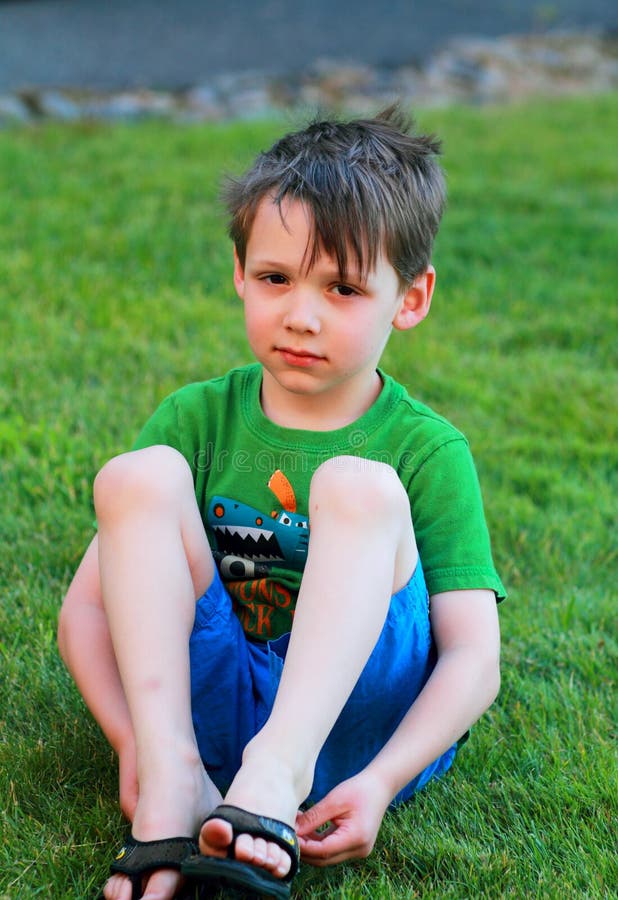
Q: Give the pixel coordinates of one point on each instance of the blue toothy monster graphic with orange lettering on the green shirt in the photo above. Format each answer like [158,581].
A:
[251,545]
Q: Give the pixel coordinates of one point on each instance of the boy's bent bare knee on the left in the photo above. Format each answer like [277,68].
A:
[157,473]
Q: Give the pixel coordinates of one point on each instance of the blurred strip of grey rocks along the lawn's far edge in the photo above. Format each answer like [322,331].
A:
[468,69]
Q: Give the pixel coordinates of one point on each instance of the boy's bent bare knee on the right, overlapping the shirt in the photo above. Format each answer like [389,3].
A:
[365,489]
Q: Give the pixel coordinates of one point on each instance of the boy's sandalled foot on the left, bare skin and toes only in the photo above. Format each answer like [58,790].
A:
[170,806]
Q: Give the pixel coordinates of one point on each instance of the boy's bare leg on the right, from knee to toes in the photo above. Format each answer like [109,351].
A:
[361,551]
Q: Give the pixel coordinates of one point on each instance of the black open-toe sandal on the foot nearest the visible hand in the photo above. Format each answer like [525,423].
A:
[230,873]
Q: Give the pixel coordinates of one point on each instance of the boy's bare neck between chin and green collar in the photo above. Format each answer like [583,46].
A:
[326,411]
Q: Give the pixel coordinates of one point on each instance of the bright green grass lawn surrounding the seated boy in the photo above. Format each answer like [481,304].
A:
[116,288]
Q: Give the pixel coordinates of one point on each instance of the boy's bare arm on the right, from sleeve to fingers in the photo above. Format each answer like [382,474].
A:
[462,686]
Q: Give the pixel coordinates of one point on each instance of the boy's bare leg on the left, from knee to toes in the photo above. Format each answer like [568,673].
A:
[154,560]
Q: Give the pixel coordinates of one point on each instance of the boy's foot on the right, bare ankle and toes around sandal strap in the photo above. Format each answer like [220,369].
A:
[263,786]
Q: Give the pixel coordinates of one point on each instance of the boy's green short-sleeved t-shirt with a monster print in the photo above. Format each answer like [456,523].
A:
[252,482]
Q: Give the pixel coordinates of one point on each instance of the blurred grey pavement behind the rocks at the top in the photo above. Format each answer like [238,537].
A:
[112,44]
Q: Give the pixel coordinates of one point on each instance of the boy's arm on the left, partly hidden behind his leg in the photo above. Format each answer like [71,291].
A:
[86,648]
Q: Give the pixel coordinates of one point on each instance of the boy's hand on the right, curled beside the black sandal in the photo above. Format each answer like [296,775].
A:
[353,813]
